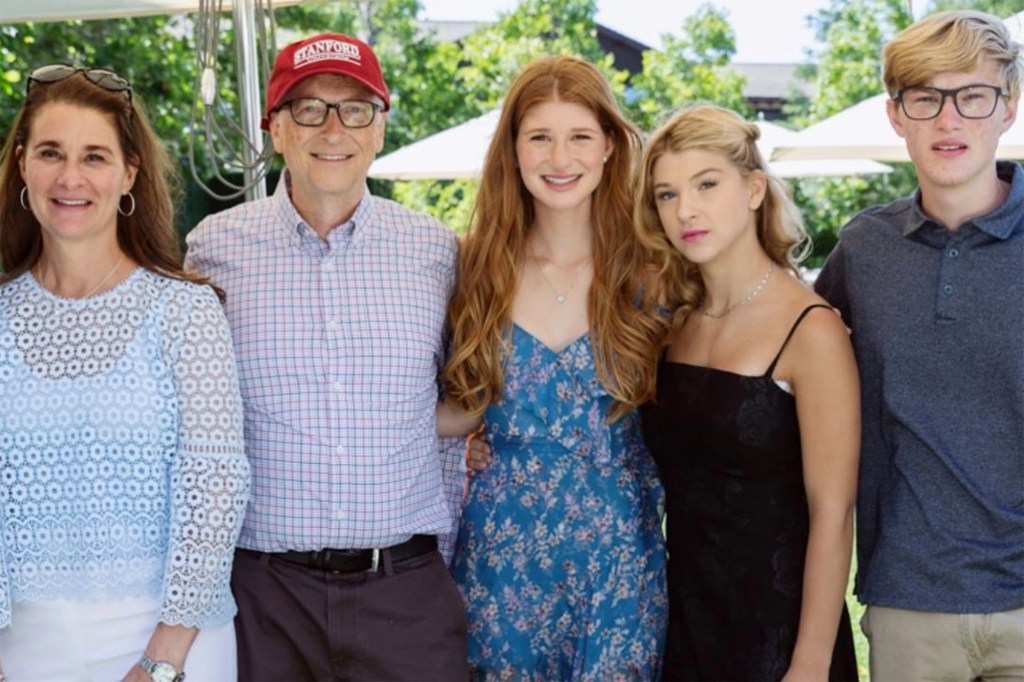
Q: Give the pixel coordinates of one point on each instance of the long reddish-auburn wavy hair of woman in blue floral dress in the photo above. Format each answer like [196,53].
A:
[493,251]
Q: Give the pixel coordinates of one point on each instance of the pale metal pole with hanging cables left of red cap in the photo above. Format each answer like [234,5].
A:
[244,13]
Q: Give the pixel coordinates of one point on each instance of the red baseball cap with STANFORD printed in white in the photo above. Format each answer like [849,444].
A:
[326,54]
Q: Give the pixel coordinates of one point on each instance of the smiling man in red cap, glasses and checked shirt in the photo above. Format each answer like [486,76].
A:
[337,303]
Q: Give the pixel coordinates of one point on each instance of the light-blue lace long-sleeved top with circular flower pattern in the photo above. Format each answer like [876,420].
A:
[122,470]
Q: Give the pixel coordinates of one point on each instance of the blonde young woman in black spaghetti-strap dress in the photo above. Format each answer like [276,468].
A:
[756,423]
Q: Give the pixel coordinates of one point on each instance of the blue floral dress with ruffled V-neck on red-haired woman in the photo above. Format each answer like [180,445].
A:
[561,556]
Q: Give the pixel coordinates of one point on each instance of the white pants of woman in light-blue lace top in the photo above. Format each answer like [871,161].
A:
[100,642]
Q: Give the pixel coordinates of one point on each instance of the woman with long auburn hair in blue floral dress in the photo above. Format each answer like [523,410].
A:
[561,556]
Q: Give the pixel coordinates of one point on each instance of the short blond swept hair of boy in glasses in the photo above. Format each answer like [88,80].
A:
[954,41]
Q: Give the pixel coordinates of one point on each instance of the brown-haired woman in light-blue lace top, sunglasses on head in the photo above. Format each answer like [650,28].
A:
[123,480]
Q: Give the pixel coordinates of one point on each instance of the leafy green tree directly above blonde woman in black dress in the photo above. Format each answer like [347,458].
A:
[691,68]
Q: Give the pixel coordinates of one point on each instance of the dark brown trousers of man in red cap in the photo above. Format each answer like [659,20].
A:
[407,622]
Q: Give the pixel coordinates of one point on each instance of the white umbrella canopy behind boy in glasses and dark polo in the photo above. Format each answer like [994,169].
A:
[863,132]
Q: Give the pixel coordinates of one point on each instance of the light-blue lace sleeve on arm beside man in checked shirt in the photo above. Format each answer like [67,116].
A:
[209,480]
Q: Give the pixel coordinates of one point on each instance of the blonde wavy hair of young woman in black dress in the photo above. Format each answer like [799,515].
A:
[781,232]
